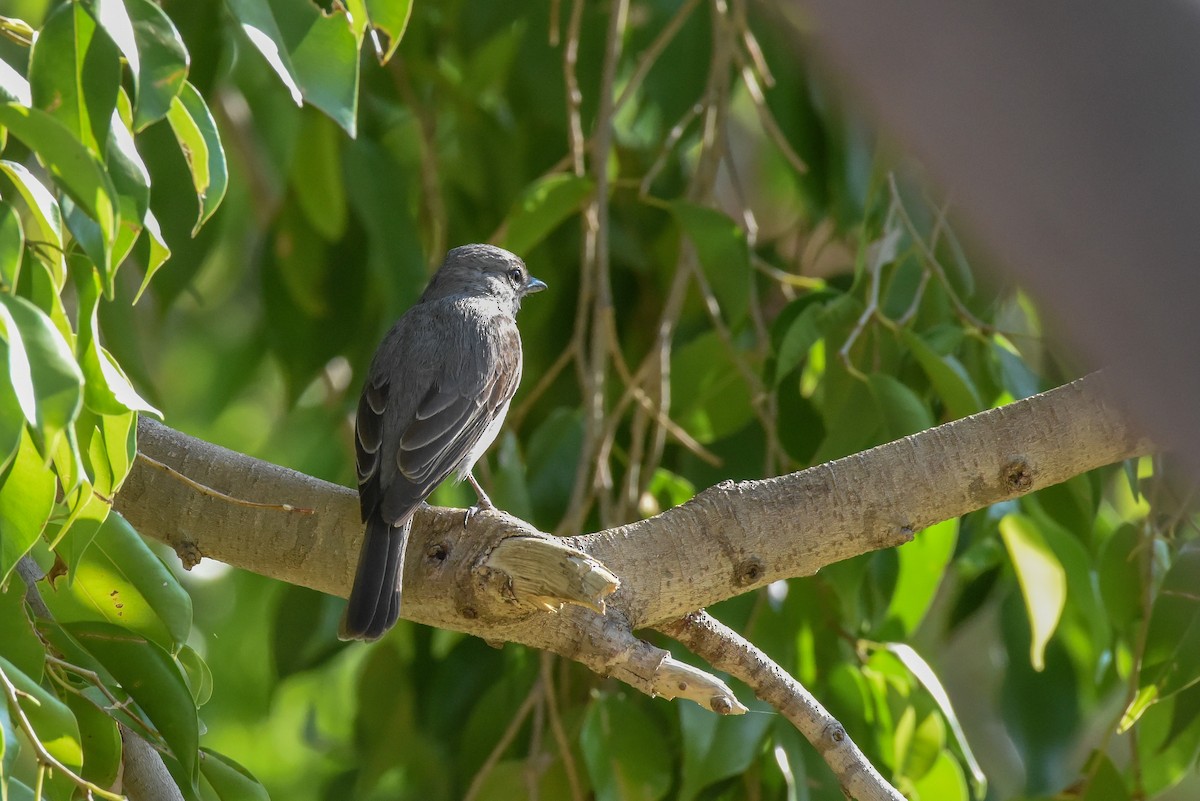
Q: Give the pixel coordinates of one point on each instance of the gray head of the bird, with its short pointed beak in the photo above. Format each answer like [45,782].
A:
[484,270]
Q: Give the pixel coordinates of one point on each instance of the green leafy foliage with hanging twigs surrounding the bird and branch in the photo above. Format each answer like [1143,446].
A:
[815,303]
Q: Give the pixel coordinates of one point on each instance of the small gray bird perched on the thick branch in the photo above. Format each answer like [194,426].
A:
[435,400]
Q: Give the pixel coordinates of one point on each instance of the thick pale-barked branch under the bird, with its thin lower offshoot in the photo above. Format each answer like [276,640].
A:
[476,577]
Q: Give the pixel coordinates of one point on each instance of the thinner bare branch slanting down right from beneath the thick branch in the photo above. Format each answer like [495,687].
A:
[727,651]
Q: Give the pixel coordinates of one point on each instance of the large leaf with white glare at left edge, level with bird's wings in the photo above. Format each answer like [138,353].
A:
[43,370]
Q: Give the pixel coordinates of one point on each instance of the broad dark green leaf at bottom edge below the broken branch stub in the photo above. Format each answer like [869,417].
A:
[621,748]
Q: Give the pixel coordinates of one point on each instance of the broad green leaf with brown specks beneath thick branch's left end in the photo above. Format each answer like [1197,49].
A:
[121,581]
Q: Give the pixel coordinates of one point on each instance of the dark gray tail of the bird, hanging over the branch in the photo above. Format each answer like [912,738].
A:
[375,599]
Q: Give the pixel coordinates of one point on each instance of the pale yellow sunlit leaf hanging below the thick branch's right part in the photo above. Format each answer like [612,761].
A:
[1042,579]
